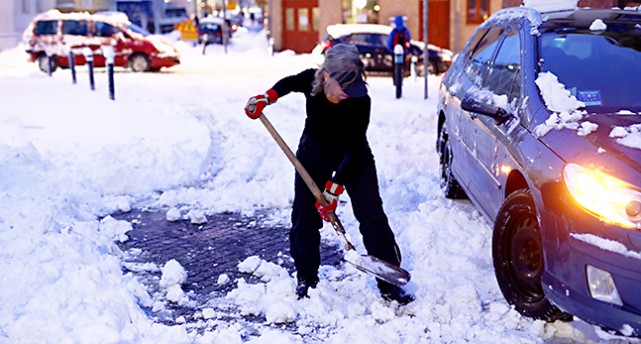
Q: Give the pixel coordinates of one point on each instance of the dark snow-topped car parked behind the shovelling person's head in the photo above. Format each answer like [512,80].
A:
[371,41]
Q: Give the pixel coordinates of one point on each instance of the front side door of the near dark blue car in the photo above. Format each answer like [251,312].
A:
[503,81]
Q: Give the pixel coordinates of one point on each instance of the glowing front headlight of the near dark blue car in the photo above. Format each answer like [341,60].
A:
[610,198]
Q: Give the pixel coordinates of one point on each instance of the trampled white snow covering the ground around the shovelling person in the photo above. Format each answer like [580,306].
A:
[180,139]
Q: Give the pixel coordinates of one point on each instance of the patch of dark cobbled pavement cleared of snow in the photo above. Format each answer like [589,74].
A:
[208,250]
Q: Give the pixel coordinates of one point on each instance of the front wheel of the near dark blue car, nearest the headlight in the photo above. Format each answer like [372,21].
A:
[517,252]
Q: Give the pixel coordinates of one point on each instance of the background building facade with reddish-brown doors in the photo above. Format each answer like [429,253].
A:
[299,24]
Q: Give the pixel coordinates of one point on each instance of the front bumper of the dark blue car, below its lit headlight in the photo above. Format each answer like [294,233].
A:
[587,243]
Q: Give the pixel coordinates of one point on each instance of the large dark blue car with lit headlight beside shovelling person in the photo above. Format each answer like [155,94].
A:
[539,124]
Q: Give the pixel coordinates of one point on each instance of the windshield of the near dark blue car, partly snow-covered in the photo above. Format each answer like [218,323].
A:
[600,68]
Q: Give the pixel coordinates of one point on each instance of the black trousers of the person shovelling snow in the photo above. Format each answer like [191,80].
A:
[321,160]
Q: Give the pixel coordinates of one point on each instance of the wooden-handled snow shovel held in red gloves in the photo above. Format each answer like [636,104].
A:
[369,264]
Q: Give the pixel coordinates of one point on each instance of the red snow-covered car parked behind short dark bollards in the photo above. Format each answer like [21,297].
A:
[57,34]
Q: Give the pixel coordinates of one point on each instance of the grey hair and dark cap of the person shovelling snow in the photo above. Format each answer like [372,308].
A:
[343,64]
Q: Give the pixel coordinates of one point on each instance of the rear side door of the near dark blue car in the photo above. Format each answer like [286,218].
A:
[478,142]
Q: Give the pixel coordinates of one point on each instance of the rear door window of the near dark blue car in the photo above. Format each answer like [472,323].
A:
[479,62]
